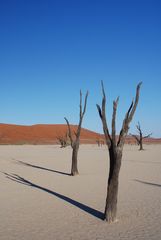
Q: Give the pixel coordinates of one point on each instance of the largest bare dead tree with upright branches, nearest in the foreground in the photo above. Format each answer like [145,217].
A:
[115,148]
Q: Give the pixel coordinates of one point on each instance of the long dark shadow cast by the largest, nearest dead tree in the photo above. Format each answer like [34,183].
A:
[92,211]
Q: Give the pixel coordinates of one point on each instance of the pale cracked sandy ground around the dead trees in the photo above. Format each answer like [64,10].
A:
[55,206]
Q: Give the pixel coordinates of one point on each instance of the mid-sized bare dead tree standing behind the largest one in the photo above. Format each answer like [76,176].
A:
[75,141]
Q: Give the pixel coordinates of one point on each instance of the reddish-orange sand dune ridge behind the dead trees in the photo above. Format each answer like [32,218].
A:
[49,133]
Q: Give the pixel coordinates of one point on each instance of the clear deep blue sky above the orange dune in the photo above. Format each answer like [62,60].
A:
[49,50]
